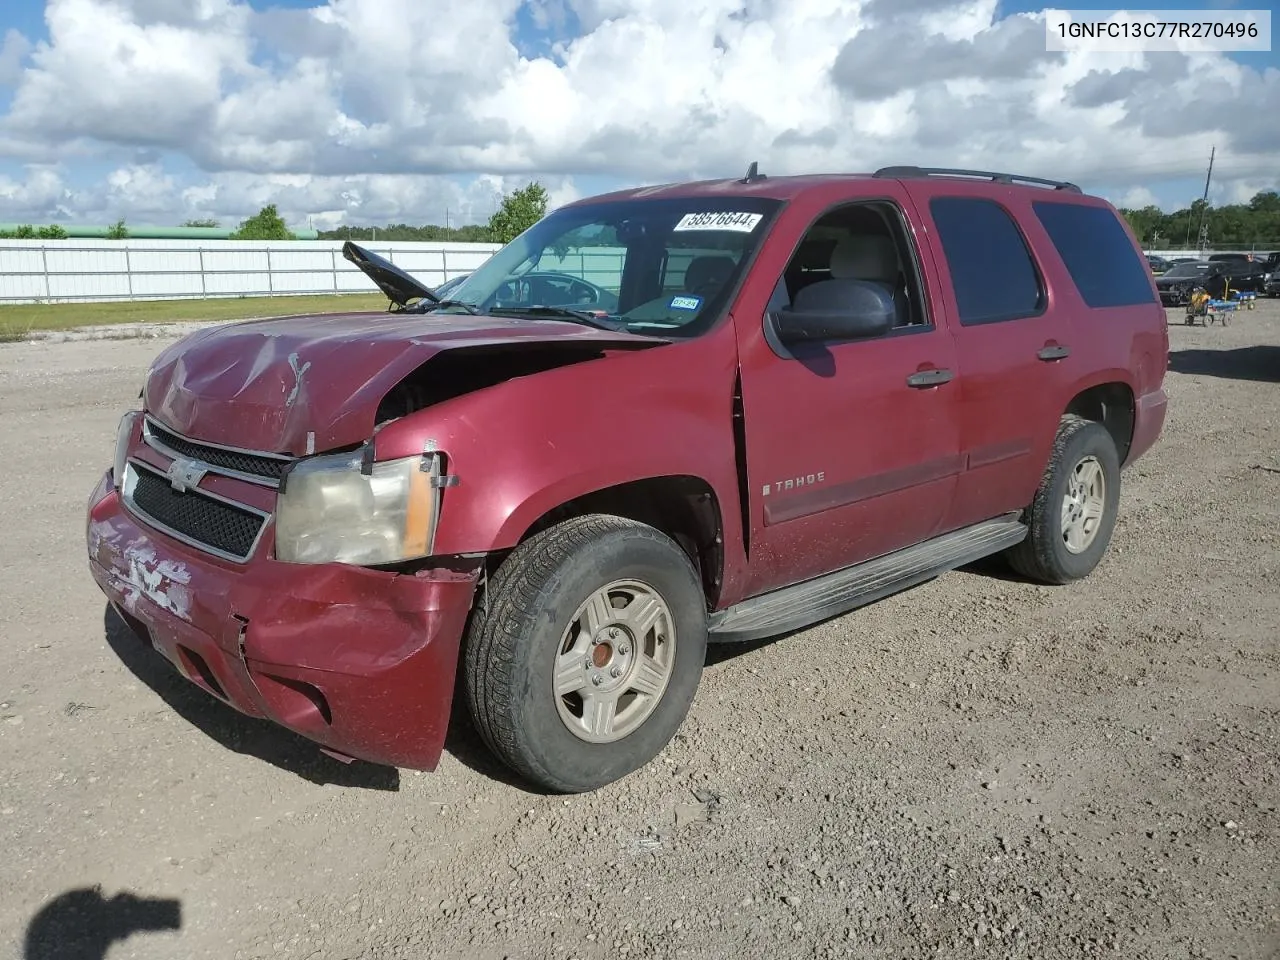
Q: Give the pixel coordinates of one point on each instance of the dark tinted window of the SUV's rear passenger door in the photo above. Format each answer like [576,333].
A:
[991,269]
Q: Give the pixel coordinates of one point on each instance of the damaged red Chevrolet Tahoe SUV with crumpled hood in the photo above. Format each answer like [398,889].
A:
[705,413]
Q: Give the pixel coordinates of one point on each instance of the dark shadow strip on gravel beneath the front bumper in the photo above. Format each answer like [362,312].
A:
[234,730]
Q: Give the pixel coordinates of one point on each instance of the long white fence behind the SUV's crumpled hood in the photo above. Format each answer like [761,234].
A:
[140,269]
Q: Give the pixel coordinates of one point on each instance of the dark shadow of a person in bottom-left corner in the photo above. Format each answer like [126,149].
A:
[83,925]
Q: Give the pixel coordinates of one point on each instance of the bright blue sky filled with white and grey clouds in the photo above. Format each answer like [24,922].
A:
[373,112]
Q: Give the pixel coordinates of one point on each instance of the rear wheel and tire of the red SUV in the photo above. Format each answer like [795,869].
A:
[1046,555]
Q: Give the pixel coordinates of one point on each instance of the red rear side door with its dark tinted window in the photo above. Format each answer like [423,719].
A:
[1016,346]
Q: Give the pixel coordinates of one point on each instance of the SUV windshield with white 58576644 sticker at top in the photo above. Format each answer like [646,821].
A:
[657,267]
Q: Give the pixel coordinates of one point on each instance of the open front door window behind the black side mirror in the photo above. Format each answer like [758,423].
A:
[863,241]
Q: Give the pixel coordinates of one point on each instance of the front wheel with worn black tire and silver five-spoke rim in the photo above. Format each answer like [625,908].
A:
[537,624]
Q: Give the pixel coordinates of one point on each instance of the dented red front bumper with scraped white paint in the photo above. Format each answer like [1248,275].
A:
[362,662]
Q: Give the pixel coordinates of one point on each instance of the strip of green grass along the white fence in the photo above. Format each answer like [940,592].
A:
[21,319]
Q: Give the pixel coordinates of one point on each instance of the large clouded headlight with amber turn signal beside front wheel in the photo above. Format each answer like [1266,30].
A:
[332,513]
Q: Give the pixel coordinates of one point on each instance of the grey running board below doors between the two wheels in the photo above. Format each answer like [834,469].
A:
[833,595]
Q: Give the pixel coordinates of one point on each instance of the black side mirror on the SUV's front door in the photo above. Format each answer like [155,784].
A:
[838,310]
